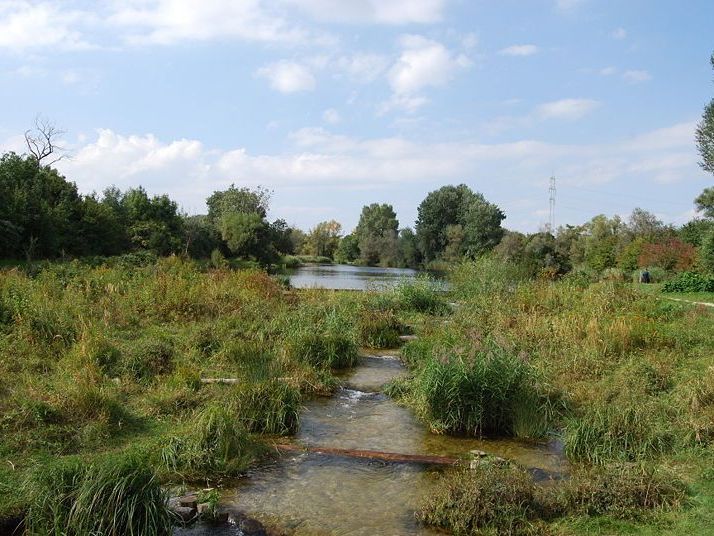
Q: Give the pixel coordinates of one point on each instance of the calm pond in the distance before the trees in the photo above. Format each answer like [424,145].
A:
[344,277]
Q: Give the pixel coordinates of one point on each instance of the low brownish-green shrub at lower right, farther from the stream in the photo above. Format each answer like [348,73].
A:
[622,490]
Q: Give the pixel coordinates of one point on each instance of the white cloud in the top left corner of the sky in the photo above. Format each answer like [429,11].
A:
[26,25]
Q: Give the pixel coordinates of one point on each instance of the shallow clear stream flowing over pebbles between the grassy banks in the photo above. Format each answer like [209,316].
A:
[315,494]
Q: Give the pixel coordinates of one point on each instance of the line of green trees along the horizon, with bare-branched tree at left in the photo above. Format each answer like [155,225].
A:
[42,215]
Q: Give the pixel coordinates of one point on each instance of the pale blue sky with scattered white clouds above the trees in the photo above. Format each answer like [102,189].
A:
[334,104]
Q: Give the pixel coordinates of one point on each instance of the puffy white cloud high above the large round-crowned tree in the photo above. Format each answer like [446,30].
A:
[423,63]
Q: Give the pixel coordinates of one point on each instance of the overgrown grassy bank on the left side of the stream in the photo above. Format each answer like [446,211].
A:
[102,365]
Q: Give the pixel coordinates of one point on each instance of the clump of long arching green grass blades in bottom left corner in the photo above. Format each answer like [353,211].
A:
[117,495]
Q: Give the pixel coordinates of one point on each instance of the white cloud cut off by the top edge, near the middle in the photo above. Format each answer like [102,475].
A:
[373,11]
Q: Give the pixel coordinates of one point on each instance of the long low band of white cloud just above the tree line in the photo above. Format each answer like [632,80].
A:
[190,171]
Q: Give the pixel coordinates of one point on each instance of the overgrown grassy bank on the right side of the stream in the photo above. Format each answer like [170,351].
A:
[625,379]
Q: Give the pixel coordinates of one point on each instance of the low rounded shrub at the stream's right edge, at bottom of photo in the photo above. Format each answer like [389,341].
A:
[493,499]
